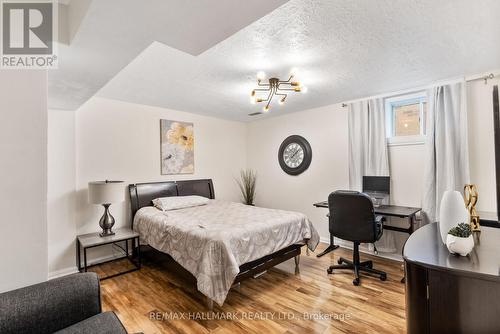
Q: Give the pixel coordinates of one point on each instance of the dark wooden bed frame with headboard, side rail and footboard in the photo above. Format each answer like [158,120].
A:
[142,194]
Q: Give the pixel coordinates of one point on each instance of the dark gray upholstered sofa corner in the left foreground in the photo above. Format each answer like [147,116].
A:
[70,304]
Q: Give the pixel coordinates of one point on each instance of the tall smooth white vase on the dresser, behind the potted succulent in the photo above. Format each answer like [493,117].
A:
[452,212]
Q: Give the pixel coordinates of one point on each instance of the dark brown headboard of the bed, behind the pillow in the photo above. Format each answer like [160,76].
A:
[143,194]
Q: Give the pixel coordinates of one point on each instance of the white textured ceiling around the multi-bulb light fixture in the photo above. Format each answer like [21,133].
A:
[342,49]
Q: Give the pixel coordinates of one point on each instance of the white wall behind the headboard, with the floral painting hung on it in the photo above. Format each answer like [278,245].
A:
[121,141]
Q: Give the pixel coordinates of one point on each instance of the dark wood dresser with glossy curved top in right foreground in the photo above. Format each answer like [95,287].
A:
[446,293]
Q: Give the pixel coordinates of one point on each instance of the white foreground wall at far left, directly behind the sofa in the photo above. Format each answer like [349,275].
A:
[23,166]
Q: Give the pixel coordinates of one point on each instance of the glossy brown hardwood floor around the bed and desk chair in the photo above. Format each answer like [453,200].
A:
[276,302]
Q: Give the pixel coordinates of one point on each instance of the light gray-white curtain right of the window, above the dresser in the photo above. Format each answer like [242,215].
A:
[447,156]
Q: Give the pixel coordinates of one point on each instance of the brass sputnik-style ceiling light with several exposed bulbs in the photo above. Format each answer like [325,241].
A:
[275,87]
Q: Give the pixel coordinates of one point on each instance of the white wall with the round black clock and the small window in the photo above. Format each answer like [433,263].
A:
[326,129]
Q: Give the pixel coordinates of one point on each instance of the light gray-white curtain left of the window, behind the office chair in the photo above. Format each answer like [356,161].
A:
[368,151]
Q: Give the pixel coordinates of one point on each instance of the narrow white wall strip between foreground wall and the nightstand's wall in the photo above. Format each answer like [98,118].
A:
[61,179]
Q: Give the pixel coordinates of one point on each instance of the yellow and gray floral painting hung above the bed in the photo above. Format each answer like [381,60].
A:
[177,147]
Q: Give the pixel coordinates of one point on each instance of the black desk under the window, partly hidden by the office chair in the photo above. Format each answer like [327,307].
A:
[404,212]
